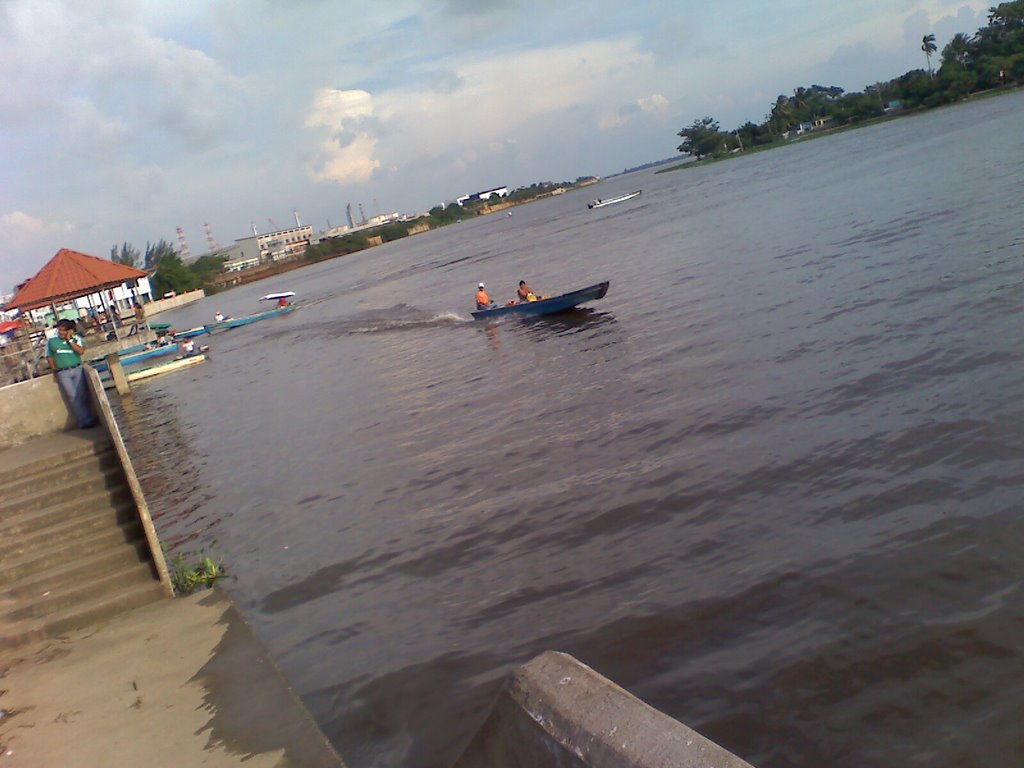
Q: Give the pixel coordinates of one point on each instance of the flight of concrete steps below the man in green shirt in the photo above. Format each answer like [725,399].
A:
[72,549]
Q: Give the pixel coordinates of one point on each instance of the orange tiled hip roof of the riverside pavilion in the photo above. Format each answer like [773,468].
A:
[70,275]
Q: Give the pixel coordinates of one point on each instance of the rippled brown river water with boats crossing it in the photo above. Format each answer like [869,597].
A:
[772,484]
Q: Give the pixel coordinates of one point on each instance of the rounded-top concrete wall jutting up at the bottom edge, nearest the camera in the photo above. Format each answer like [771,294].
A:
[556,712]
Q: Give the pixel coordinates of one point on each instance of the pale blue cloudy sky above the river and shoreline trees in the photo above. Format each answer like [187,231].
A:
[125,120]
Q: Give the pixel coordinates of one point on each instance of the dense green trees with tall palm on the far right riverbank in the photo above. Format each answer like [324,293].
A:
[991,59]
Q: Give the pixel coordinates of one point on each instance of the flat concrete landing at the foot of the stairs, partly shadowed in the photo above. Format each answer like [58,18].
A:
[182,682]
